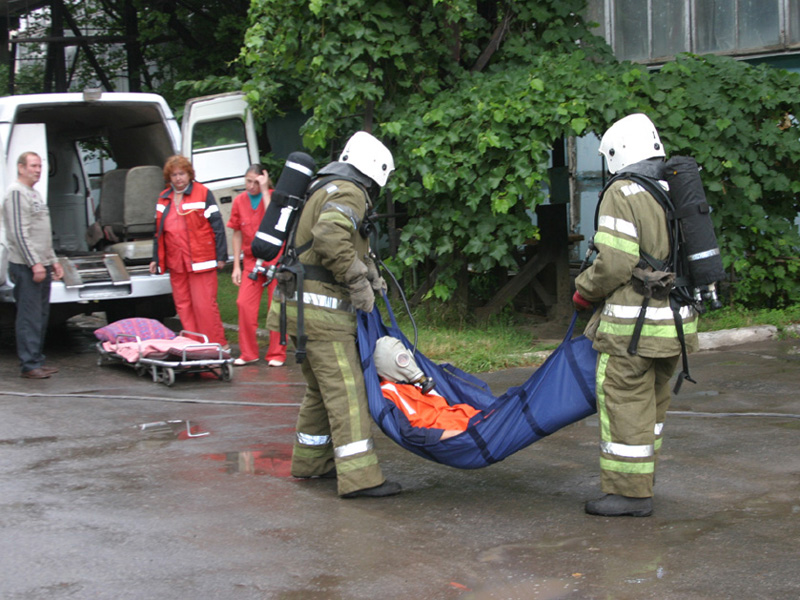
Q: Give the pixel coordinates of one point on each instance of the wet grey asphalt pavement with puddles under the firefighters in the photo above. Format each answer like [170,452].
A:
[115,487]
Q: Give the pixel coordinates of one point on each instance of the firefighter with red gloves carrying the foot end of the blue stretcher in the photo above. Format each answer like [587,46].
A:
[633,391]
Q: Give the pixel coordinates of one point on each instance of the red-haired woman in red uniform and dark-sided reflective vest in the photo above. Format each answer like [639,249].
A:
[190,245]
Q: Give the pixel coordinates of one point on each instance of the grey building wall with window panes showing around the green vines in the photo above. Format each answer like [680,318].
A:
[653,31]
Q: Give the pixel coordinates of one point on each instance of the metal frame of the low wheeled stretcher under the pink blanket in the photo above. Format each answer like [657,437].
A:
[165,370]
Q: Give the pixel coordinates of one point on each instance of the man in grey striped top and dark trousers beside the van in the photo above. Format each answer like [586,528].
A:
[32,264]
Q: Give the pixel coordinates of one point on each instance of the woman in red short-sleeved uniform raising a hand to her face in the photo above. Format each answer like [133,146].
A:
[246,215]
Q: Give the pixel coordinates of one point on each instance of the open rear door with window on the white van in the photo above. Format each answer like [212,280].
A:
[219,137]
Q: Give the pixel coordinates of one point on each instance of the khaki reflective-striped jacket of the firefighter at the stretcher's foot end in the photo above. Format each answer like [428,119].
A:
[630,221]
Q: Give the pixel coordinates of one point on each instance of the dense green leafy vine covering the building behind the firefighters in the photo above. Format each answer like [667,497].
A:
[472,140]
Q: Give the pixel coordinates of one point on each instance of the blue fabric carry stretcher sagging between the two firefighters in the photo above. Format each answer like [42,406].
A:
[559,393]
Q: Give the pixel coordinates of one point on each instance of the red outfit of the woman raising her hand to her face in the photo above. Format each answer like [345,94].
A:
[245,219]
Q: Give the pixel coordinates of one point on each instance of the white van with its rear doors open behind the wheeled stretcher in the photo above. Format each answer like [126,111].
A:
[103,233]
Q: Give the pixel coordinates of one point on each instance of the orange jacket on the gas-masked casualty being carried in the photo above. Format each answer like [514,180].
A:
[429,410]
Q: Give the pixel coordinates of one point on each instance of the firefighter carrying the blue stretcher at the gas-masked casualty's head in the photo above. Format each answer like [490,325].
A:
[333,437]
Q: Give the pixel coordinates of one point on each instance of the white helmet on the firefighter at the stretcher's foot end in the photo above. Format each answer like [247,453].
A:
[629,140]
